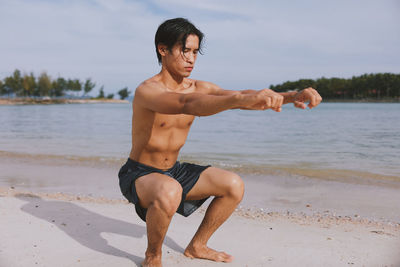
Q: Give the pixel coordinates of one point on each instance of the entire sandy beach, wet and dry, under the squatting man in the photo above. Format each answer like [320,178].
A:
[78,218]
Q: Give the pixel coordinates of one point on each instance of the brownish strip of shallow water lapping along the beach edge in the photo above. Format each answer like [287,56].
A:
[345,176]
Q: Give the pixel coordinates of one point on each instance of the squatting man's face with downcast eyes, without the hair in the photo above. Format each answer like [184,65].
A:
[181,62]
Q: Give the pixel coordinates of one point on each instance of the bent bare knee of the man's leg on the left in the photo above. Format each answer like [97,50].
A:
[168,198]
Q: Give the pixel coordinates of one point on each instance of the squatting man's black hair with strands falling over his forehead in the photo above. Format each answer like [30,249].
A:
[176,30]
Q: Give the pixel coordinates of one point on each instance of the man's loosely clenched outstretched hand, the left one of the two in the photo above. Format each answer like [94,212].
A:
[263,99]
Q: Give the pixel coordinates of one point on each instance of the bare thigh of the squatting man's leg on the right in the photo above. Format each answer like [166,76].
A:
[213,182]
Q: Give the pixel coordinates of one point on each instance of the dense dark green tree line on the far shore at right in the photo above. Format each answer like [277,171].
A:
[367,86]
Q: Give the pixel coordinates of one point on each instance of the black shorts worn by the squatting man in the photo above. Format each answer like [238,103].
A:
[186,174]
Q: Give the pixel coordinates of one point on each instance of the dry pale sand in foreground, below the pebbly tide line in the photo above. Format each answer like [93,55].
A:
[53,230]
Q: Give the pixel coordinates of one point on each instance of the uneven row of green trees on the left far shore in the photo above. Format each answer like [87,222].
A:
[27,85]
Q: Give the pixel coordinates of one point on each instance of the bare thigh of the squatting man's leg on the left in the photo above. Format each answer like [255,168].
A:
[150,186]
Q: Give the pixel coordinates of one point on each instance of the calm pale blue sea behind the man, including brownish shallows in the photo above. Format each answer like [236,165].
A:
[332,141]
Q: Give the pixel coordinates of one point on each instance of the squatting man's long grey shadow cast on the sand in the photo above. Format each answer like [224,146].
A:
[86,226]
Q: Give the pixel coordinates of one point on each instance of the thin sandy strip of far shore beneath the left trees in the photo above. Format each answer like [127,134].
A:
[47,101]
